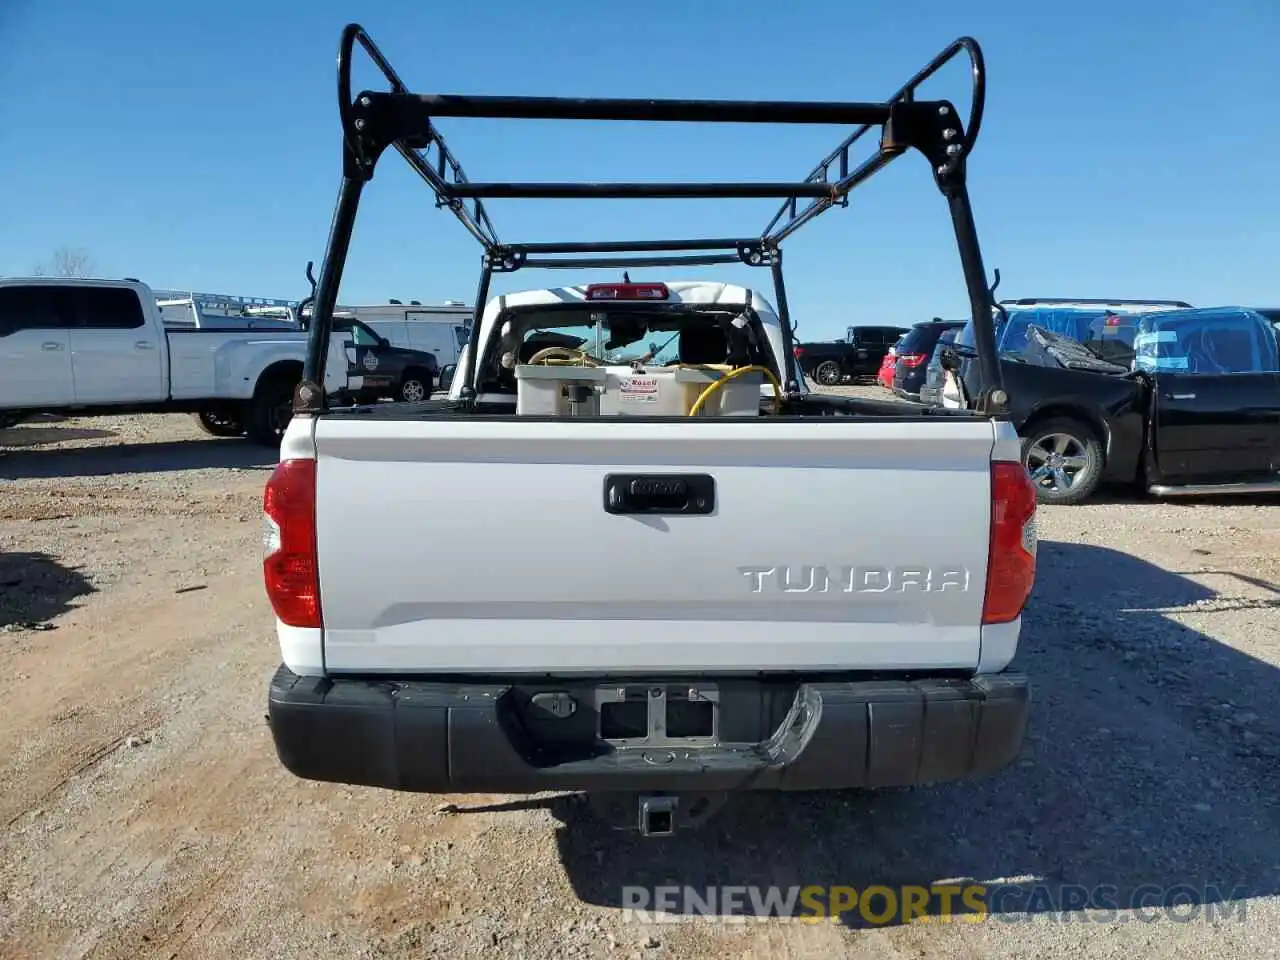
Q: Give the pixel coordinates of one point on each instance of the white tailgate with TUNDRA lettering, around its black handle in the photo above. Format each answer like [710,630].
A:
[478,546]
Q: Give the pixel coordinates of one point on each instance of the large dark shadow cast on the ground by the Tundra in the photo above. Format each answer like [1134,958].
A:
[1148,779]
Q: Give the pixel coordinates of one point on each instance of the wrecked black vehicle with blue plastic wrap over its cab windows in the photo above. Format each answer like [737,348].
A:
[1192,410]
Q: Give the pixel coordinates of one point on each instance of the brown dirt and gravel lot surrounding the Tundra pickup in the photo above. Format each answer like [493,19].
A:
[147,815]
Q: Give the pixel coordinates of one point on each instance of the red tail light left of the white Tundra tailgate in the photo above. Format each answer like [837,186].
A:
[290,568]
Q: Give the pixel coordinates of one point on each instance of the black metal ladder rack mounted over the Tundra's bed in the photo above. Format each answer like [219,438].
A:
[374,121]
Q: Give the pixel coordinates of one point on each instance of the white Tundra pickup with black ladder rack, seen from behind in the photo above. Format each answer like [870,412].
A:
[668,573]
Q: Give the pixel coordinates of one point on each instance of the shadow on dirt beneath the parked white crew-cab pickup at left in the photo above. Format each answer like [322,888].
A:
[138,459]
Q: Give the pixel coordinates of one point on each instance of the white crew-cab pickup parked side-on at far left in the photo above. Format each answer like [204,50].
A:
[88,348]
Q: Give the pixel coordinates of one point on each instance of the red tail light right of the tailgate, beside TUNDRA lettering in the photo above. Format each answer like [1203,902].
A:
[1012,554]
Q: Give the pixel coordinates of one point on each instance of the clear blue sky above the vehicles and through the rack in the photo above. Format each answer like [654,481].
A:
[1128,148]
